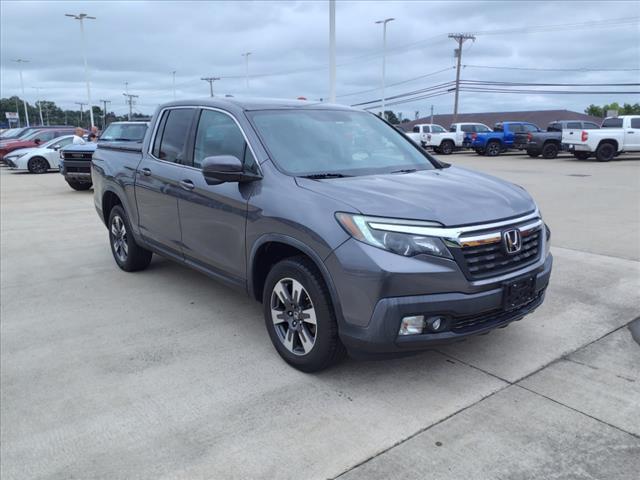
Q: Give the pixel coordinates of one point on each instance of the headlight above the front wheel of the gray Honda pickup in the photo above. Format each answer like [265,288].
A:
[379,233]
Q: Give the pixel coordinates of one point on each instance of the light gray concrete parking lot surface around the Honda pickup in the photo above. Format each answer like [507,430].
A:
[167,374]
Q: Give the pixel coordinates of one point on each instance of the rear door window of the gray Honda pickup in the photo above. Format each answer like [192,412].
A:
[171,137]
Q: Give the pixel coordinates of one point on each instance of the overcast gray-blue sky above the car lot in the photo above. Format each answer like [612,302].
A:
[142,42]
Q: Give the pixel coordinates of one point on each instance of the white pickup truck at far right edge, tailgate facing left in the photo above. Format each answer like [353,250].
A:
[617,135]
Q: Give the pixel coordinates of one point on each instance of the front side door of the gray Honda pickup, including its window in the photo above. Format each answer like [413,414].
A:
[213,217]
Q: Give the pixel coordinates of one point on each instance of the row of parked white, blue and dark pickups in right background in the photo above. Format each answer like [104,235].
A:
[622,135]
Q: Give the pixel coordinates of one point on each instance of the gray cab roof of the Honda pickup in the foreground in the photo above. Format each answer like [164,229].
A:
[256,103]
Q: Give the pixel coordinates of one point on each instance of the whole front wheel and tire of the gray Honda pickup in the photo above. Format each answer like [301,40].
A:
[300,317]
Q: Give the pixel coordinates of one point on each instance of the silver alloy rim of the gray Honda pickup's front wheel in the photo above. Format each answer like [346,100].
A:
[293,316]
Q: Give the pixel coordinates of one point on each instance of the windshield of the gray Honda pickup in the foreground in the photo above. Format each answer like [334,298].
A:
[308,142]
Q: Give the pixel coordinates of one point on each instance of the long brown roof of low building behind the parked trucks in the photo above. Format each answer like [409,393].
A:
[540,117]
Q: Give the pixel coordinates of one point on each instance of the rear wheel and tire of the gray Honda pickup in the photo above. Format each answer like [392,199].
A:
[129,256]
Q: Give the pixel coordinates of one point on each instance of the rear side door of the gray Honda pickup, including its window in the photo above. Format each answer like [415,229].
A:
[158,180]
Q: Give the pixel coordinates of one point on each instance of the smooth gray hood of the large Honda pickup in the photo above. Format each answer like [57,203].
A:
[452,196]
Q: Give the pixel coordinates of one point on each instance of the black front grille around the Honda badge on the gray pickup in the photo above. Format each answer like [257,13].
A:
[491,259]
